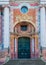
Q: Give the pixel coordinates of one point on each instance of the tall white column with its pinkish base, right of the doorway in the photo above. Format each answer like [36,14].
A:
[43,31]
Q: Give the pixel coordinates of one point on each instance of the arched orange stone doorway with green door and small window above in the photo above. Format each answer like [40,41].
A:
[24,41]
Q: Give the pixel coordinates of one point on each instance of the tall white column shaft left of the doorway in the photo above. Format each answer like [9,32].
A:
[6,30]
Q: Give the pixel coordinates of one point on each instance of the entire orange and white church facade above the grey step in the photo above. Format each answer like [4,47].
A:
[23,28]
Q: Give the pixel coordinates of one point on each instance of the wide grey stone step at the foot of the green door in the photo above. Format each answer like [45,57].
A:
[25,62]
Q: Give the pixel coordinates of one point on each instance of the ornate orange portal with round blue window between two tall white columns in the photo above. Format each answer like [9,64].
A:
[24,24]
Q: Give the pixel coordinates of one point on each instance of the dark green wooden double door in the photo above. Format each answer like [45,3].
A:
[24,47]
